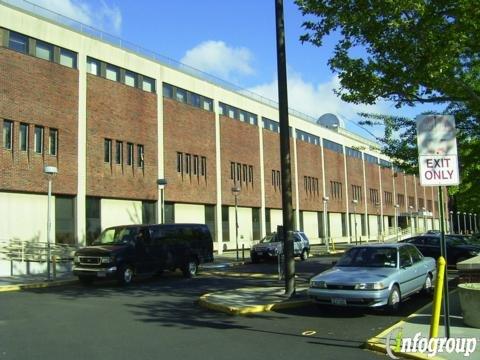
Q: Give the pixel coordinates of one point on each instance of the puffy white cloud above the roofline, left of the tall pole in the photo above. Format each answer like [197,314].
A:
[219,59]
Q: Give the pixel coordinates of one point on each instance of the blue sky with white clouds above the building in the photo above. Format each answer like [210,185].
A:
[233,40]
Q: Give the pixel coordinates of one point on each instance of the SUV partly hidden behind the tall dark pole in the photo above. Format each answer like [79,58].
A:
[272,245]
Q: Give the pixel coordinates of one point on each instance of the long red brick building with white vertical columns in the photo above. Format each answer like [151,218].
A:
[119,124]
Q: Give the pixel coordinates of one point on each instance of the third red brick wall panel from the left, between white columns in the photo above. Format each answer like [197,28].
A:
[189,130]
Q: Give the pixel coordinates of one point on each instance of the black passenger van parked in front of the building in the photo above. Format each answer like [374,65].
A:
[123,252]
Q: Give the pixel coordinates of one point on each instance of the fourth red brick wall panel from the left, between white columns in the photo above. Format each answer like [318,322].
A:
[240,144]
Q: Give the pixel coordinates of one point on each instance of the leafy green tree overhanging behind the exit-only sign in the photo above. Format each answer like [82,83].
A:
[408,52]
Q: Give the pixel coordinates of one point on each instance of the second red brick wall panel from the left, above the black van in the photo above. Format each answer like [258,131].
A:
[119,112]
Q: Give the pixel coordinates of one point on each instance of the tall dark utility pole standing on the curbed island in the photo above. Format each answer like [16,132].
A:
[285,151]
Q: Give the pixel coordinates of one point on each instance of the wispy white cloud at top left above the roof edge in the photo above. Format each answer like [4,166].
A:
[104,17]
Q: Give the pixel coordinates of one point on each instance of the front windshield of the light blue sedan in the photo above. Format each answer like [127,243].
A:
[370,257]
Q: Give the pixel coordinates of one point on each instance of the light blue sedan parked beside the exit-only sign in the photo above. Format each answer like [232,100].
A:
[380,275]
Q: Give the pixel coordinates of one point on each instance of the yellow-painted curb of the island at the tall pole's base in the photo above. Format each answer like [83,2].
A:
[245,310]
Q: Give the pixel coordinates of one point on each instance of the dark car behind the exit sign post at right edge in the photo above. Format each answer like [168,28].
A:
[458,249]
